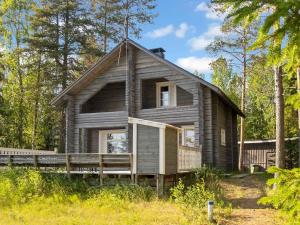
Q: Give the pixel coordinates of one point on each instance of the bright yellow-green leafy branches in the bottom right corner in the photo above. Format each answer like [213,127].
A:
[286,192]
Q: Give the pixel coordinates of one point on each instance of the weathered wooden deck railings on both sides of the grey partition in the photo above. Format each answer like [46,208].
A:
[189,159]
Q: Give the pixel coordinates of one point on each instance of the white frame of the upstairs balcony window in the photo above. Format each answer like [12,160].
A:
[172,94]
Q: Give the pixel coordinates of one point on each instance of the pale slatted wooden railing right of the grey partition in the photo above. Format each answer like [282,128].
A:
[189,158]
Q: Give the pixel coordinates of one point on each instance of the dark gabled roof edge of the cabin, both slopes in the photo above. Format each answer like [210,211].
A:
[106,60]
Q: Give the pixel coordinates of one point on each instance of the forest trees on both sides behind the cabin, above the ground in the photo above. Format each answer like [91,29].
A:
[45,45]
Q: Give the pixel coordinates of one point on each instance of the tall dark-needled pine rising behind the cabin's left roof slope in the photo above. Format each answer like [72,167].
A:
[62,30]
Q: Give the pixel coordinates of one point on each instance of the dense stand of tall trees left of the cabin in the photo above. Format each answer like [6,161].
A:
[45,45]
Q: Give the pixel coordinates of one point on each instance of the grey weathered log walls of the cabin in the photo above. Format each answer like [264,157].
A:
[197,104]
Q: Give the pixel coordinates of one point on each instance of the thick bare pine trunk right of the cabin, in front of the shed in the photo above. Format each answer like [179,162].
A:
[280,151]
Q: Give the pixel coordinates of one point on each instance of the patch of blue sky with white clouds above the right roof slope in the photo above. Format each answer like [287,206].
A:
[183,28]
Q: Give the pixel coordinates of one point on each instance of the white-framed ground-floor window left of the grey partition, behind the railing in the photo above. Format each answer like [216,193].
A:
[113,141]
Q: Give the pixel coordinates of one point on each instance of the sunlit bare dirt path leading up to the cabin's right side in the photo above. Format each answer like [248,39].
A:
[243,193]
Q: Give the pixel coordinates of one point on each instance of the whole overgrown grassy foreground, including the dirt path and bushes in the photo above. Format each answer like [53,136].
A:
[29,197]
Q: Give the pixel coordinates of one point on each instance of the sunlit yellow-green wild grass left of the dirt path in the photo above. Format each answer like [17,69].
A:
[27,197]
